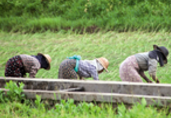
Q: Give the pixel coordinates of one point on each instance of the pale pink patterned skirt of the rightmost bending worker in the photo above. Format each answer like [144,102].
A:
[129,70]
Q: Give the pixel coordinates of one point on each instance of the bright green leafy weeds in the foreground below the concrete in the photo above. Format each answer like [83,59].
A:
[29,109]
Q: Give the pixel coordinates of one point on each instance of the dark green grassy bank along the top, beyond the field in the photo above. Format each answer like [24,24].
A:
[85,15]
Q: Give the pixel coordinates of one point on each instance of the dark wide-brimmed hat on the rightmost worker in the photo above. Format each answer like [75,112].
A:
[163,50]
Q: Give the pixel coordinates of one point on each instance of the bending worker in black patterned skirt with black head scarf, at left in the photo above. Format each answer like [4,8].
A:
[19,65]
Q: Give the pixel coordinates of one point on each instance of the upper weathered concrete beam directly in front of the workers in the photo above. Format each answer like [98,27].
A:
[93,86]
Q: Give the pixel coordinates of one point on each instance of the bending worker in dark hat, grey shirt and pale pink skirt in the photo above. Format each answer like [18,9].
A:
[133,67]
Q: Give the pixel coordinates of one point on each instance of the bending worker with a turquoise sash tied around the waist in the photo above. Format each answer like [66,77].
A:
[73,66]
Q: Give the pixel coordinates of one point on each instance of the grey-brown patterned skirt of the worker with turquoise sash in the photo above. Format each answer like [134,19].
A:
[66,69]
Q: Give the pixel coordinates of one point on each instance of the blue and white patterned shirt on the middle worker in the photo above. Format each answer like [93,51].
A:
[87,70]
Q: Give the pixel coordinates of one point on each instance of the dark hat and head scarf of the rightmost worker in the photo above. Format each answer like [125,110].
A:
[160,54]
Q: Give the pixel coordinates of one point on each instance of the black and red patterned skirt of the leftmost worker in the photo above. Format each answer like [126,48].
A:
[14,67]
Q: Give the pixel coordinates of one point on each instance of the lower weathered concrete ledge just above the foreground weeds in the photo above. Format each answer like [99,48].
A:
[113,98]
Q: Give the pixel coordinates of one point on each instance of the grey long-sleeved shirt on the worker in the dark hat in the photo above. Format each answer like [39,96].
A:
[146,63]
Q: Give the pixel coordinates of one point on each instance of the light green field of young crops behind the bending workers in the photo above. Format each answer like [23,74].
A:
[114,46]
